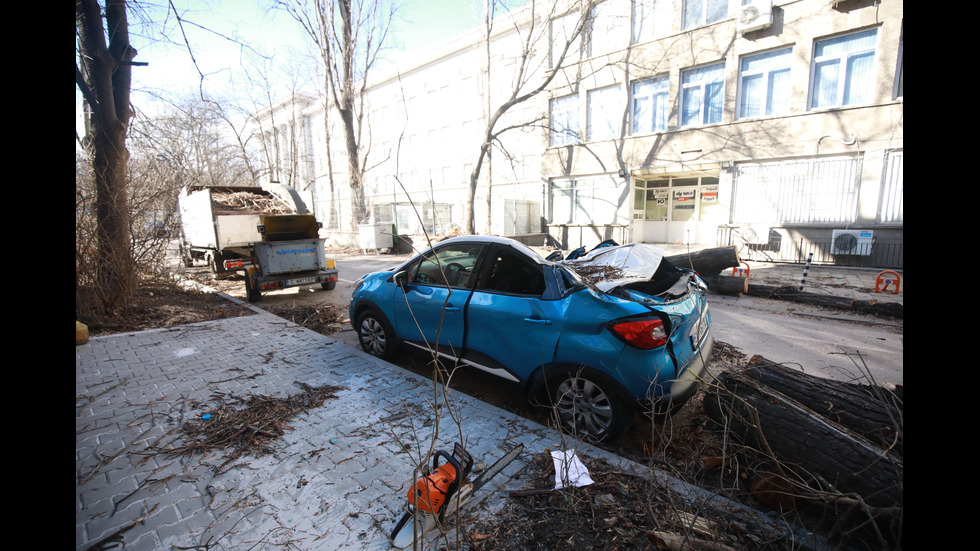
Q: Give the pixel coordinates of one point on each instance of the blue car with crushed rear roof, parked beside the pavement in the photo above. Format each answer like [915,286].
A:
[595,337]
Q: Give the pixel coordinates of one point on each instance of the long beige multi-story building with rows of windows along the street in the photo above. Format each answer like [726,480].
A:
[772,124]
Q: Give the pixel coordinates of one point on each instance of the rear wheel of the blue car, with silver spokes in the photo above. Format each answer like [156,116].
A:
[588,409]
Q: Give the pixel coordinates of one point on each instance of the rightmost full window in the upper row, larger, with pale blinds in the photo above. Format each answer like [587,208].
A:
[843,70]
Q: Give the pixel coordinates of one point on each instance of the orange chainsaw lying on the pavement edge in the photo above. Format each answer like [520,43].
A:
[441,488]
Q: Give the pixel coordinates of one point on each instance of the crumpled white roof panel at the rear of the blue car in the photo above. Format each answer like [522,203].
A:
[609,267]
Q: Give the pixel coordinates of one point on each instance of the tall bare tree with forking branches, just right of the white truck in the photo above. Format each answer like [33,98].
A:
[350,36]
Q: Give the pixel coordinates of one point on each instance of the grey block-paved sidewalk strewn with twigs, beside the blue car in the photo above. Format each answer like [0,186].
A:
[335,481]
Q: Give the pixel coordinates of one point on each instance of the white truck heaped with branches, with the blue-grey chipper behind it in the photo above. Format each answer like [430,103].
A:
[266,231]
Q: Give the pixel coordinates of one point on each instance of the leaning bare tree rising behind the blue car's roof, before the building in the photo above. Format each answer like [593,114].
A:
[529,80]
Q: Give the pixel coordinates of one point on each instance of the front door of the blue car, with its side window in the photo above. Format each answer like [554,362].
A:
[435,294]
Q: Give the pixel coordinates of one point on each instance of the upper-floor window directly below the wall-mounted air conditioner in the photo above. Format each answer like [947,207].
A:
[764,84]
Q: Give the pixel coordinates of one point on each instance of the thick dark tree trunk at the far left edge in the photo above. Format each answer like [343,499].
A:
[103,75]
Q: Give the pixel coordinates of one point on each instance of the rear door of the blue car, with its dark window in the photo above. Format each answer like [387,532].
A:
[510,329]
